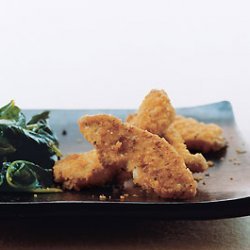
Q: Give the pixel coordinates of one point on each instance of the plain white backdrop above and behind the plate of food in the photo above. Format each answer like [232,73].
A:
[109,54]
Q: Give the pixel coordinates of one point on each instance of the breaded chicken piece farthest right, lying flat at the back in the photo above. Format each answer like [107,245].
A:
[200,136]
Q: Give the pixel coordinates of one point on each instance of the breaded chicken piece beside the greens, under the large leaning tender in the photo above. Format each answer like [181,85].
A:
[77,171]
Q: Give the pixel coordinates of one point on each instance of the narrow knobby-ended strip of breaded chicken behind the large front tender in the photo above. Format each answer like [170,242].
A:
[195,162]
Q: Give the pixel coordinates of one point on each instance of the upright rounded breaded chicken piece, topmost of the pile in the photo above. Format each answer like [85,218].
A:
[155,114]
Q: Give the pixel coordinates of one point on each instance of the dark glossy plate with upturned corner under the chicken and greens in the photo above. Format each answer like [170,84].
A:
[223,191]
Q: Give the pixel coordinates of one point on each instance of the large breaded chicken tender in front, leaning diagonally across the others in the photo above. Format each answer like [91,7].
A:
[155,164]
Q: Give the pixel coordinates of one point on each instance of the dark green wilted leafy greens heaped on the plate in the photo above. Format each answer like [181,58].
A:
[28,151]
